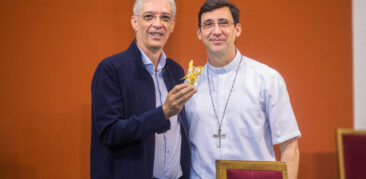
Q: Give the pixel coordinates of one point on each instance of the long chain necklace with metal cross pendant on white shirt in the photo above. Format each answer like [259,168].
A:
[219,135]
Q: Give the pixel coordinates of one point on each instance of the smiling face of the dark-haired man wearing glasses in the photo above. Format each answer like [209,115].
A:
[219,40]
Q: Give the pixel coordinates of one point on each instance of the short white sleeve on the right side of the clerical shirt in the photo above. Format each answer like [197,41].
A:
[279,111]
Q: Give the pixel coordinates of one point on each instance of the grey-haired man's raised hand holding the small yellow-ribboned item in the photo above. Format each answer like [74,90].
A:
[176,99]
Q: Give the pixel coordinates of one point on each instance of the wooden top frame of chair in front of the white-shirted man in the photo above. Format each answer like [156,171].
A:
[223,165]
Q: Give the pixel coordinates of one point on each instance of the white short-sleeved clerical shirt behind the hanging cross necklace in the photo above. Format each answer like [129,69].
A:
[258,115]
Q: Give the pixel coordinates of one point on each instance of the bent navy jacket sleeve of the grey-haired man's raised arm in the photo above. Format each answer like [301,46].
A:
[108,117]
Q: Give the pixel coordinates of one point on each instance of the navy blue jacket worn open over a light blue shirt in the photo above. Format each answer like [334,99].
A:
[125,117]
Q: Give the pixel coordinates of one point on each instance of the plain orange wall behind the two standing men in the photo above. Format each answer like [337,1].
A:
[49,50]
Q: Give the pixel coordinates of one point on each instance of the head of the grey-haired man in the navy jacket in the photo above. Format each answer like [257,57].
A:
[153,24]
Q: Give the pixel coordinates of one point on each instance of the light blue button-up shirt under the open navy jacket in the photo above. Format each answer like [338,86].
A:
[168,144]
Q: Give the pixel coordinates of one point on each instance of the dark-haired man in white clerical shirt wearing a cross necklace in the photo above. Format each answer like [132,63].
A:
[248,108]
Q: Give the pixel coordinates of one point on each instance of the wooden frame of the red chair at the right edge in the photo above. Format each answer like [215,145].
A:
[340,133]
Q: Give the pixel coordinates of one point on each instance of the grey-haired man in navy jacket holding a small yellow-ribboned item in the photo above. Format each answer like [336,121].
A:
[138,130]
